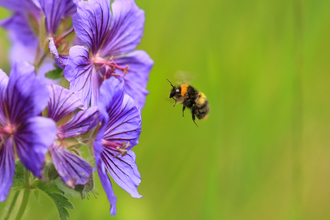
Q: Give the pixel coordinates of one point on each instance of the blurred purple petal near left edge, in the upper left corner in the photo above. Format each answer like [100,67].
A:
[19,29]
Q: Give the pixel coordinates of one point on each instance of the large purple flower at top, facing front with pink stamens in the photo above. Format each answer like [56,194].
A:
[110,37]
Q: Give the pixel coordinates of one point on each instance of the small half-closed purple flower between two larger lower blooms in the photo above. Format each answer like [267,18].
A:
[62,103]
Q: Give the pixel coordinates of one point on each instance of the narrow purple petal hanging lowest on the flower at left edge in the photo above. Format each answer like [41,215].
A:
[7,167]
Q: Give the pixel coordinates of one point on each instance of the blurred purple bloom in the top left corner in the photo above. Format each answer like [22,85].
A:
[24,26]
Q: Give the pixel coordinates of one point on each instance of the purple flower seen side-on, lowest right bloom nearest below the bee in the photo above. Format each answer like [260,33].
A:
[119,132]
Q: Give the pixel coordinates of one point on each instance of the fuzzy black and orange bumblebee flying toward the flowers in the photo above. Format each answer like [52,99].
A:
[192,99]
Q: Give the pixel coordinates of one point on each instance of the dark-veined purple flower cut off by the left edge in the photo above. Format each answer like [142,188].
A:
[22,98]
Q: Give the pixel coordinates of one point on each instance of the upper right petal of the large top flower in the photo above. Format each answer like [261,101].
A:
[126,28]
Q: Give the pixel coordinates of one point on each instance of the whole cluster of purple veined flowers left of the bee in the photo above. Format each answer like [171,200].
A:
[93,44]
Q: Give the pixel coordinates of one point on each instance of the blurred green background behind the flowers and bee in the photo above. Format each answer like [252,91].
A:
[264,151]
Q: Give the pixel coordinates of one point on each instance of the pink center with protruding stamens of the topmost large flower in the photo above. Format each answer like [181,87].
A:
[110,66]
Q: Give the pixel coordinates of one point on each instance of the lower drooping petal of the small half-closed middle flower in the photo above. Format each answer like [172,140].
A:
[72,169]
